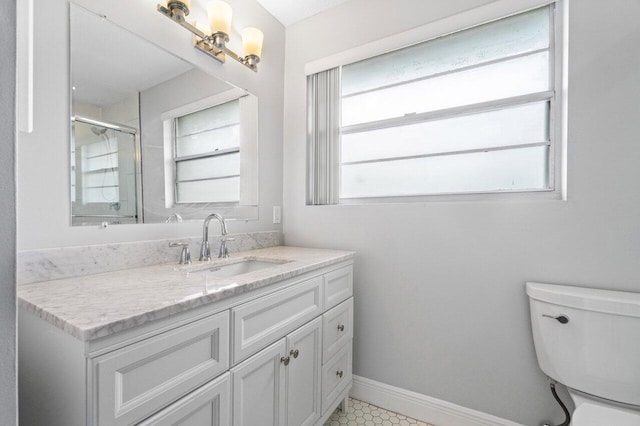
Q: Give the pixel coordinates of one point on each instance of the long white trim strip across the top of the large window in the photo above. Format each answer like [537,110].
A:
[470,18]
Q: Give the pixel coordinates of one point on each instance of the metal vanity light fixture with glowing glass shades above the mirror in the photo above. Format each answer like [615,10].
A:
[215,43]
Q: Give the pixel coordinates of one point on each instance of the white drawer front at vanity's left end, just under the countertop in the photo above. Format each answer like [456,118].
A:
[136,381]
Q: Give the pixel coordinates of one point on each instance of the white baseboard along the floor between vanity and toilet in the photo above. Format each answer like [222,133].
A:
[421,407]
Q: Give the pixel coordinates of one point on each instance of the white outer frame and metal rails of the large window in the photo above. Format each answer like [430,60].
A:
[556,97]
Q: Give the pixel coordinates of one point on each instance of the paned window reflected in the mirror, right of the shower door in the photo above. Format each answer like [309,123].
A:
[207,154]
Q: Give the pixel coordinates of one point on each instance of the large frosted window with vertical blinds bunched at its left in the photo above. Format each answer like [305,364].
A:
[469,112]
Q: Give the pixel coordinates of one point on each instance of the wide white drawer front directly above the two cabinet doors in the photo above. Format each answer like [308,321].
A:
[263,321]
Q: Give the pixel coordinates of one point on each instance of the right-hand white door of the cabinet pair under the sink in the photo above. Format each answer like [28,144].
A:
[304,374]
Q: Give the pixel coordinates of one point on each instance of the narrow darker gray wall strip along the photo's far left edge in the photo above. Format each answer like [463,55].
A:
[8,385]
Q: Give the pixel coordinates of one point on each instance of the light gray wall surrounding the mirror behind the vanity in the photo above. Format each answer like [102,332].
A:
[45,152]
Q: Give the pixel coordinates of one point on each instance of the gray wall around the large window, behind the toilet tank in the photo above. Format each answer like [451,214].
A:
[439,286]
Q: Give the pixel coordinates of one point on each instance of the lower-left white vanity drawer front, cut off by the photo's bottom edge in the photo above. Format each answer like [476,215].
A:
[206,406]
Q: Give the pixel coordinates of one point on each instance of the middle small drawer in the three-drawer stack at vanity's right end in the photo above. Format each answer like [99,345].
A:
[337,328]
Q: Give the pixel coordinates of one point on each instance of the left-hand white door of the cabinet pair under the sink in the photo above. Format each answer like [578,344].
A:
[259,388]
